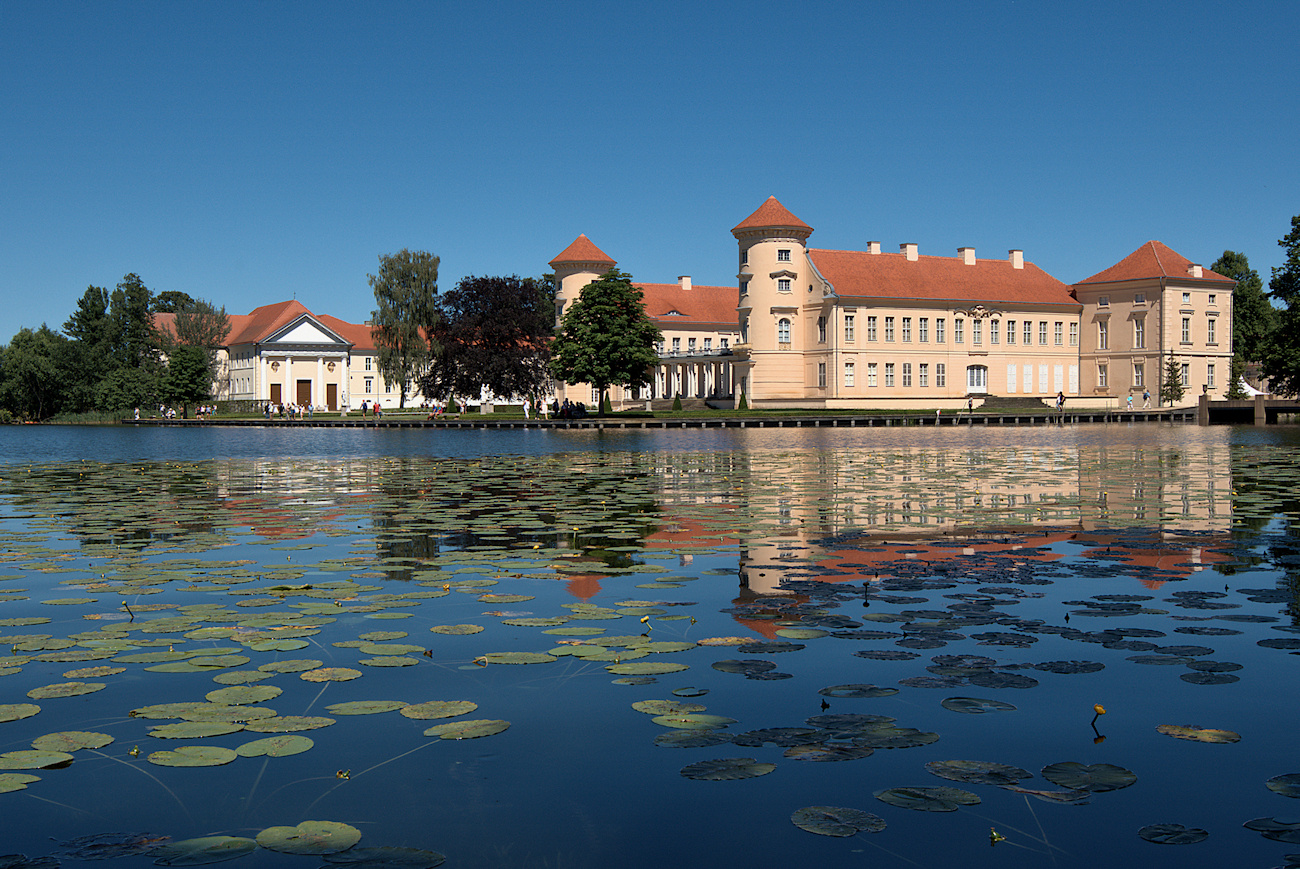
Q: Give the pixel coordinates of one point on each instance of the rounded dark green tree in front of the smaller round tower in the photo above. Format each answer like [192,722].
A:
[606,336]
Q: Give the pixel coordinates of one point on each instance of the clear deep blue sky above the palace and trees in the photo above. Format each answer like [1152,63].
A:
[254,153]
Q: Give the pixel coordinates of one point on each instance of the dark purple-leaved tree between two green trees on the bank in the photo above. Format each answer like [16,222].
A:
[492,332]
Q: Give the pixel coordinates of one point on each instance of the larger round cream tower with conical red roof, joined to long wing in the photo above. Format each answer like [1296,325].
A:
[774,269]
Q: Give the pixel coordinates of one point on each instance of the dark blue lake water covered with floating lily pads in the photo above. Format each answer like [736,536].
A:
[857,608]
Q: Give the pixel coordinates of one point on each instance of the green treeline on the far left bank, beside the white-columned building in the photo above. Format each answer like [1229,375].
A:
[111,356]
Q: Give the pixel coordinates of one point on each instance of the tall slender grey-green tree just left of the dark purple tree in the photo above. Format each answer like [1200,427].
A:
[406,293]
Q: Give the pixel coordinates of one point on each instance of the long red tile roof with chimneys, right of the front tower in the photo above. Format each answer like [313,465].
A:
[948,279]
